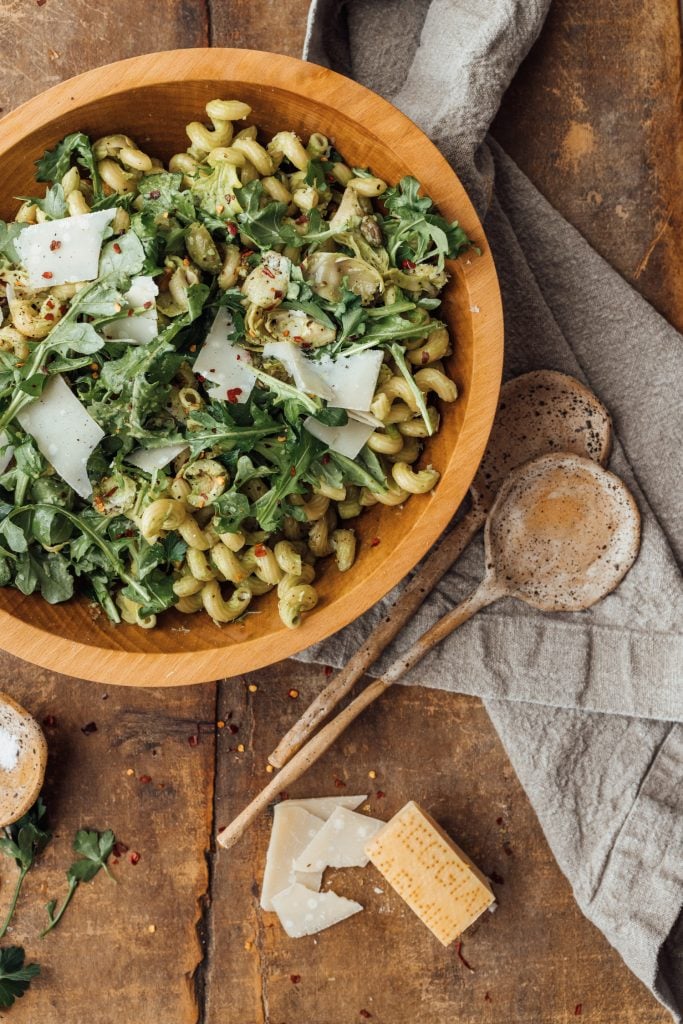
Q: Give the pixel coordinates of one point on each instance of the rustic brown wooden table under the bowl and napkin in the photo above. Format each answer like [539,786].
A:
[593,119]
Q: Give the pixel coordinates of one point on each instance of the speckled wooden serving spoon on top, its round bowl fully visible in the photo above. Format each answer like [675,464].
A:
[562,535]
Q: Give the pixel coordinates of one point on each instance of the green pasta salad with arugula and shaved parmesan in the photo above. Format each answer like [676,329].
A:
[209,370]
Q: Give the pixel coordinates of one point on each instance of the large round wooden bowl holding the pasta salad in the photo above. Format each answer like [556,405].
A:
[151,99]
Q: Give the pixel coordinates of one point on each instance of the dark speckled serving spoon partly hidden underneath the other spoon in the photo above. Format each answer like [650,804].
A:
[540,412]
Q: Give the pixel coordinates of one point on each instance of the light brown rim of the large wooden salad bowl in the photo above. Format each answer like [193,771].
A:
[391,127]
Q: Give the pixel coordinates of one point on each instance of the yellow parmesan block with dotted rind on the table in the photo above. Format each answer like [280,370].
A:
[438,881]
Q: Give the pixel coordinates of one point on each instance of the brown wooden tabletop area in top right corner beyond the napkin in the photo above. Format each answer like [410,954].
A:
[594,118]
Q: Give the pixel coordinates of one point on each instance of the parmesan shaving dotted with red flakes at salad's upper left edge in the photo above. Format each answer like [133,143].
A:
[59,252]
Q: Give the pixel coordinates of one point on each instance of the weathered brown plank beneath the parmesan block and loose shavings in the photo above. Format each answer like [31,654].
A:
[536,960]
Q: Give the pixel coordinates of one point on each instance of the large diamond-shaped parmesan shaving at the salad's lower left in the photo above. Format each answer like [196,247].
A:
[65,433]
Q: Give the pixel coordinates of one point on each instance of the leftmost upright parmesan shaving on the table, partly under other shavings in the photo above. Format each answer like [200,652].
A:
[293,829]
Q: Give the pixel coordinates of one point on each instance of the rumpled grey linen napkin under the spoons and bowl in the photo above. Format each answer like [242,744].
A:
[588,706]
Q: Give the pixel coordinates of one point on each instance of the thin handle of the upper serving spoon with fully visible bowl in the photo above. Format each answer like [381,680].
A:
[316,748]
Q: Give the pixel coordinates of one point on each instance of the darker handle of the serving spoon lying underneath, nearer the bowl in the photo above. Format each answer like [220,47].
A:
[439,563]
